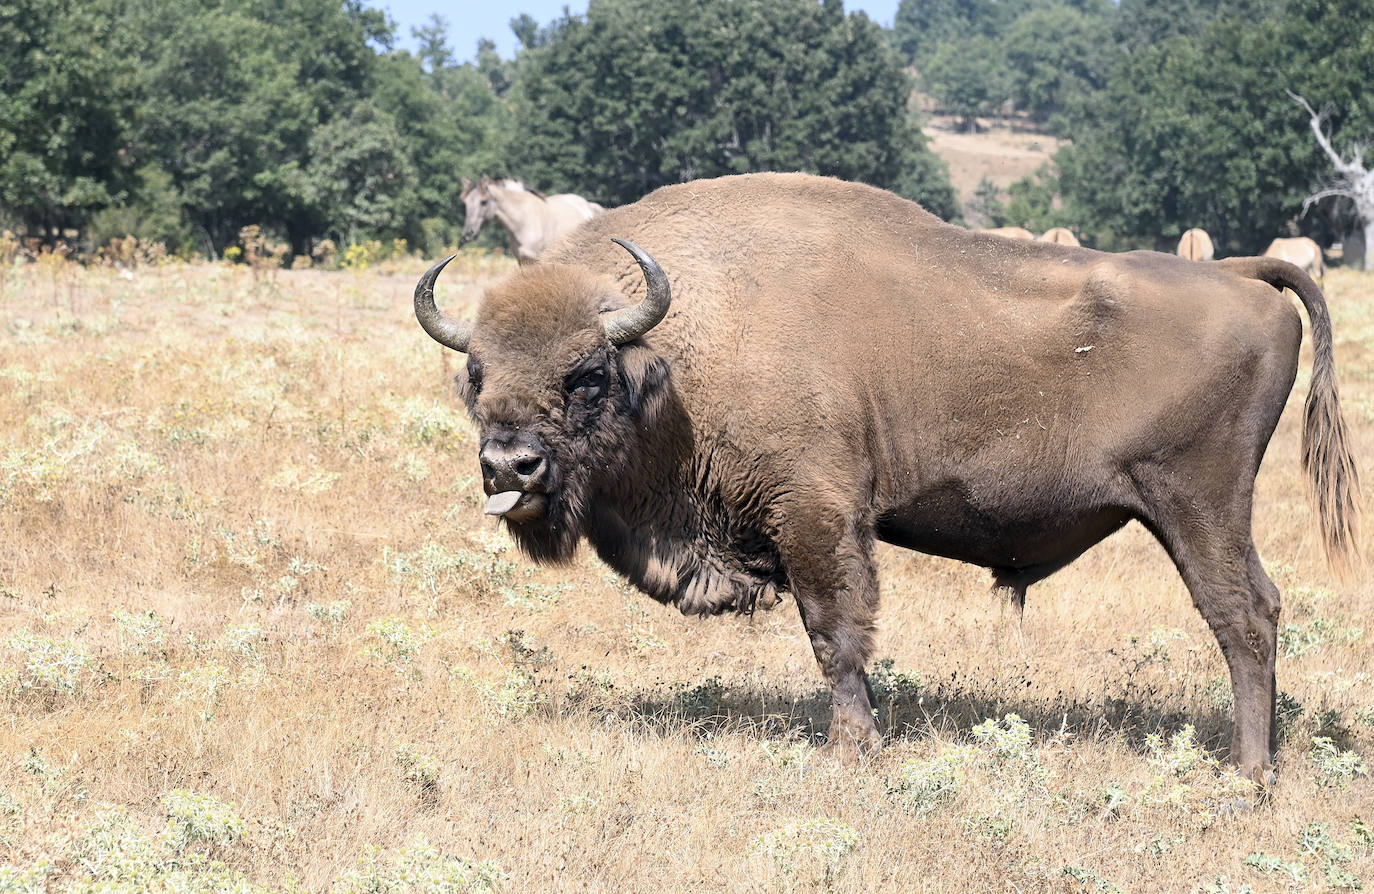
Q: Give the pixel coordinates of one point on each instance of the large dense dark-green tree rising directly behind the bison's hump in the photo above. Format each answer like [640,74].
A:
[637,95]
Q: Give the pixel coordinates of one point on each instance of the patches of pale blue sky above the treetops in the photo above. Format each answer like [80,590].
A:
[469,21]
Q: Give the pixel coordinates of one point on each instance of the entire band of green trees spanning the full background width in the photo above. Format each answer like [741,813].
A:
[186,122]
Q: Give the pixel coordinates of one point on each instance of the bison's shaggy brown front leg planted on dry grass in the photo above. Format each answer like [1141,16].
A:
[836,587]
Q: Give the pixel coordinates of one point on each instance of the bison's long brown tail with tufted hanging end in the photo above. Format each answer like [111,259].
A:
[1327,450]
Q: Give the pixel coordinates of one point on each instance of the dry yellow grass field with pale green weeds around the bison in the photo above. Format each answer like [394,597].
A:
[256,634]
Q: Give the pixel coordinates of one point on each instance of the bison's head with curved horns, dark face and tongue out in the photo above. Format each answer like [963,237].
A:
[559,384]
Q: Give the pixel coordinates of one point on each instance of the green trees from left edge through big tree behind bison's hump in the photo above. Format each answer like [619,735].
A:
[183,122]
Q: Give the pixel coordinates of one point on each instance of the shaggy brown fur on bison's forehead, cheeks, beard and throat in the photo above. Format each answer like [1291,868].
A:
[633,477]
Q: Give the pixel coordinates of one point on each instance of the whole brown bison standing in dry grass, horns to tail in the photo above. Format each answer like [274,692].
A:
[843,367]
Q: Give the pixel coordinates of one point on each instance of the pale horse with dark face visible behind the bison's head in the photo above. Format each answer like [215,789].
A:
[535,220]
